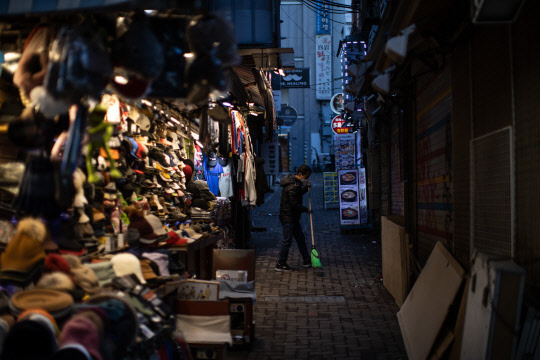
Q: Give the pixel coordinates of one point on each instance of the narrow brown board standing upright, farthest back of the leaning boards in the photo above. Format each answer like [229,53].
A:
[395,258]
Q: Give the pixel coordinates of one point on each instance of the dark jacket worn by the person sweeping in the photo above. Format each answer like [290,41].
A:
[291,199]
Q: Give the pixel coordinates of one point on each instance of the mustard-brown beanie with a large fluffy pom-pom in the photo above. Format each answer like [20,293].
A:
[26,247]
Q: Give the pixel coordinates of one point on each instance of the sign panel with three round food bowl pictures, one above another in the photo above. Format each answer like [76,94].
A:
[349,197]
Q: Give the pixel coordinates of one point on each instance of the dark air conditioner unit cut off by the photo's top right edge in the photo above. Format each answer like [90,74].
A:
[495,11]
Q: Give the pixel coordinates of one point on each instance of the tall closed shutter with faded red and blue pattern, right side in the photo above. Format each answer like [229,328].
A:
[434,162]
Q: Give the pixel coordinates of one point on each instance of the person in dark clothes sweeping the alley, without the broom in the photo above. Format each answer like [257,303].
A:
[290,211]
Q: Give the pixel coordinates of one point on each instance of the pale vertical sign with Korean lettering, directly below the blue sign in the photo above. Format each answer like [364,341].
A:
[323,67]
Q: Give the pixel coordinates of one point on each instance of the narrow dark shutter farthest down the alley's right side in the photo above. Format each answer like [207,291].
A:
[396,157]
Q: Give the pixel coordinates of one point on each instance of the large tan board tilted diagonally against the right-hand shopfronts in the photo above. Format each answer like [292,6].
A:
[426,307]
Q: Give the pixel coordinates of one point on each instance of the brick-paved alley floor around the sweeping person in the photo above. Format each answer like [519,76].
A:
[363,326]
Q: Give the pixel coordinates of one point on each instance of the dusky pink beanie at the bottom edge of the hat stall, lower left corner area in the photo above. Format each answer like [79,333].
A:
[81,330]
